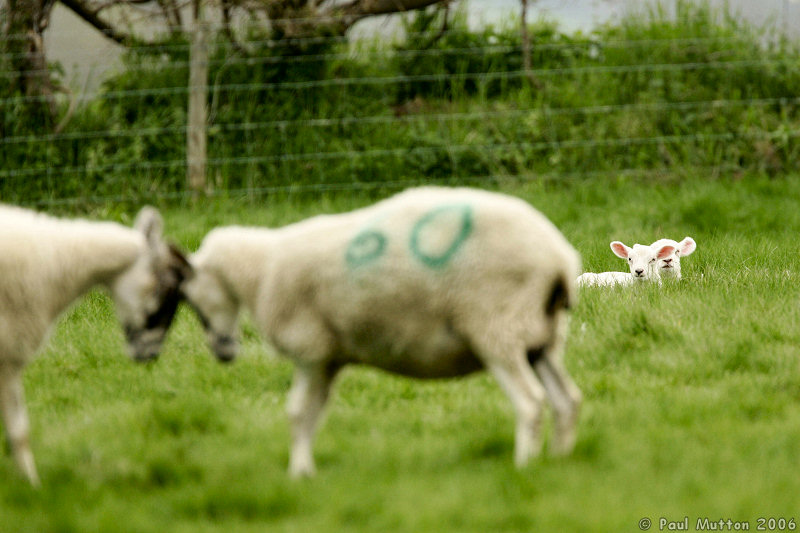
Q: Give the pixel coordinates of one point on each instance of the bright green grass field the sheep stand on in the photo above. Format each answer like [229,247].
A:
[692,397]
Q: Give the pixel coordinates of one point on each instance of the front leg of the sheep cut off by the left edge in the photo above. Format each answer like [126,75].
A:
[15,419]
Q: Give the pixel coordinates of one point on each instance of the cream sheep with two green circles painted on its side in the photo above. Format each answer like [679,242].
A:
[430,283]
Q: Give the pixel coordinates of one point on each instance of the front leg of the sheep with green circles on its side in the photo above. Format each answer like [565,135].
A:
[307,399]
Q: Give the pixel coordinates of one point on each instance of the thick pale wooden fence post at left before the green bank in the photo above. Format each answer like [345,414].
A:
[196,133]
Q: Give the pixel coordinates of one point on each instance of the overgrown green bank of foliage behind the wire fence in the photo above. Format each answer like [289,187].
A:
[362,116]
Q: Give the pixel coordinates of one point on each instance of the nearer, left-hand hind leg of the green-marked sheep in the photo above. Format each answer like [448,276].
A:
[527,395]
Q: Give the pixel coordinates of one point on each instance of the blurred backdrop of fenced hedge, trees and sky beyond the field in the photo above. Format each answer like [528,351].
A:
[148,100]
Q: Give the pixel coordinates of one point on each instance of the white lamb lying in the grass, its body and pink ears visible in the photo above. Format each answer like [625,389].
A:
[642,261]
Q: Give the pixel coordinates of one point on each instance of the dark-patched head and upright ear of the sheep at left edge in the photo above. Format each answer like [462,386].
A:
[146,294]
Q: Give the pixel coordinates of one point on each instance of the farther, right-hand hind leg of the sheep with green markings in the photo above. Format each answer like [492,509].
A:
[565,399]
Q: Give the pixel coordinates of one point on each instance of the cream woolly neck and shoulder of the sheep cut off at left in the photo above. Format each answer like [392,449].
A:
[45,265]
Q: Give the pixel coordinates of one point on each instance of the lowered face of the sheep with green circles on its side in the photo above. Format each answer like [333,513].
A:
[217,311]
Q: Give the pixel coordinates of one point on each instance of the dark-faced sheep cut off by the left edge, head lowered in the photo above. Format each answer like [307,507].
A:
[46,264]
